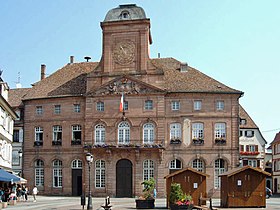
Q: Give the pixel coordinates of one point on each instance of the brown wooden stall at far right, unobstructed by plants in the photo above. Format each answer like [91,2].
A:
[243,187]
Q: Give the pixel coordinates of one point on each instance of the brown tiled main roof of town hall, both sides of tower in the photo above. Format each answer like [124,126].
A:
[70,80]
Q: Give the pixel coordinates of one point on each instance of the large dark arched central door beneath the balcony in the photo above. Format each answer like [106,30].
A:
[124,178]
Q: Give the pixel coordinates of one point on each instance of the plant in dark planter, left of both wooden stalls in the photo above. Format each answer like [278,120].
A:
[147,200]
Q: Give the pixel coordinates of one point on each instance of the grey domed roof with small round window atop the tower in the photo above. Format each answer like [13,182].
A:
[125,12]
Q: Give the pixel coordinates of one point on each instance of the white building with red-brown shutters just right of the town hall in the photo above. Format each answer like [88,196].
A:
[252,143]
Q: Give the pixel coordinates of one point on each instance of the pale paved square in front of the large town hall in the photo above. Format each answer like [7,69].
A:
[73,203]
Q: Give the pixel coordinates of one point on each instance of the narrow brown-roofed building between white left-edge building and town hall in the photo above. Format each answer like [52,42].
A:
[14,99]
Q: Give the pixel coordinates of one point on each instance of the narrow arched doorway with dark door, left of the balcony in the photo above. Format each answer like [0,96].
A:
[77,179]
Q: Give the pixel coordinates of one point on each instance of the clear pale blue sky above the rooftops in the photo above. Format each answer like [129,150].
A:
[235,42]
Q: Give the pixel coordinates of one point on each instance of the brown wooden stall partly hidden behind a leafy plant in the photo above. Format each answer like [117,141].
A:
[192,182]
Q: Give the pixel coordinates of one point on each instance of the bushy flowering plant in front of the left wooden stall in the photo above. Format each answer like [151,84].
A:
[178,199]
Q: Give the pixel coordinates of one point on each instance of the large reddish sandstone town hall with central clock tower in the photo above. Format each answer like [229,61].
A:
[173,117]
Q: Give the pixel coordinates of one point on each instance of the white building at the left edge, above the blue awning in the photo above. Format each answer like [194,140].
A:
[7,116]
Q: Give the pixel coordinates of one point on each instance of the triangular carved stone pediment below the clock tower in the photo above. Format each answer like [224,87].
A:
[127,86]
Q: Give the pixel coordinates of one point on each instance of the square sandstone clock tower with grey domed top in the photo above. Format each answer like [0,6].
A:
[126,40]
